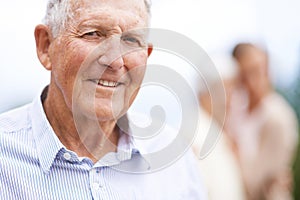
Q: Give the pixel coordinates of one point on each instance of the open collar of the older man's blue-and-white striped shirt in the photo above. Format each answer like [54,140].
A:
[48,145]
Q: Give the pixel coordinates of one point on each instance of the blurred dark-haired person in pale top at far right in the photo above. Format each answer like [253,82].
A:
[263,127]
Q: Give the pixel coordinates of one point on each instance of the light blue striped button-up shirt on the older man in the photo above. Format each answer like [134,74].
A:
[34,164]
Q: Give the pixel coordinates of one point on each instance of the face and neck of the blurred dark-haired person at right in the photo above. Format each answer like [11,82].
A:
[253,65]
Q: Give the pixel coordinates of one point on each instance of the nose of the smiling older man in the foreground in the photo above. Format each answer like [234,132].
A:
[112,58]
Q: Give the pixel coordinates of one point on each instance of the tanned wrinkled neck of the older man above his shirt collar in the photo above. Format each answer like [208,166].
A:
[88,138]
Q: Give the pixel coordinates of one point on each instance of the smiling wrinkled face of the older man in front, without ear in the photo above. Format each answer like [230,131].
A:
[99,61]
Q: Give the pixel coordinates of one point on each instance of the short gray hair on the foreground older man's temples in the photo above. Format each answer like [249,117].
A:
[59,11]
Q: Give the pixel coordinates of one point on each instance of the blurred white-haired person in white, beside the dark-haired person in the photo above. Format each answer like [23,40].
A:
[219,168]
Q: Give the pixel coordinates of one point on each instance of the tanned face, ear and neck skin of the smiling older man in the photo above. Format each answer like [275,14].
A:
[90,49]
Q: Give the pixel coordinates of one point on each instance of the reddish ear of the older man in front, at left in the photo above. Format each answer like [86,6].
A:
[43,39]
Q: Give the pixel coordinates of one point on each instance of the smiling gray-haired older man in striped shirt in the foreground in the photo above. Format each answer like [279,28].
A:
[67,144]
